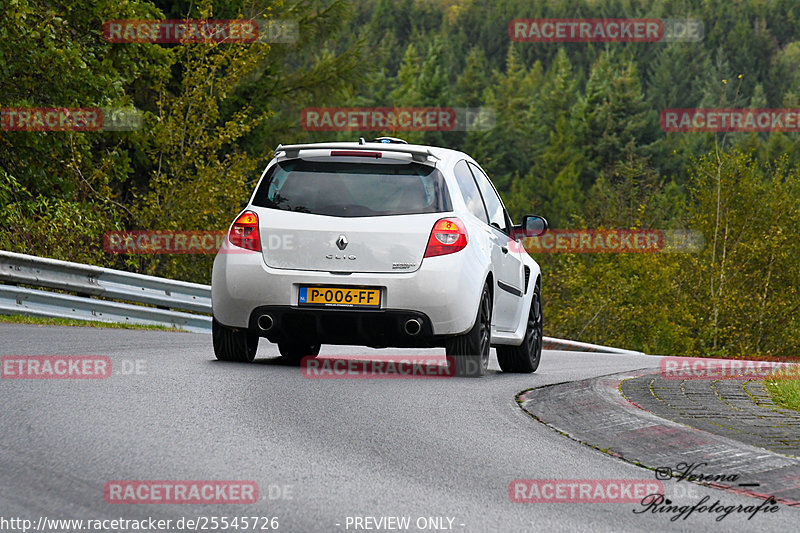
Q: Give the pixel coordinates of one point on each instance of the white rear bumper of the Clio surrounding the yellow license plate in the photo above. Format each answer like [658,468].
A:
[444,292]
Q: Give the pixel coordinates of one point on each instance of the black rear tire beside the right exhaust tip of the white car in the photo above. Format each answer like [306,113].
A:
[470,351]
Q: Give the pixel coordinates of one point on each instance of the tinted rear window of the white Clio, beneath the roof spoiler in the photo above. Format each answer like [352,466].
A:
[353,189]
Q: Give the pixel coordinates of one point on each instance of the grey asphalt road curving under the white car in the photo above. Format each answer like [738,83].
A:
[333,449]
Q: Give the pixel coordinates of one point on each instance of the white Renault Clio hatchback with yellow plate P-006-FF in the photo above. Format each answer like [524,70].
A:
[378,244]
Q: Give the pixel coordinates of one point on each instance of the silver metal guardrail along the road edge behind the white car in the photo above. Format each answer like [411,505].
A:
[169,296]
